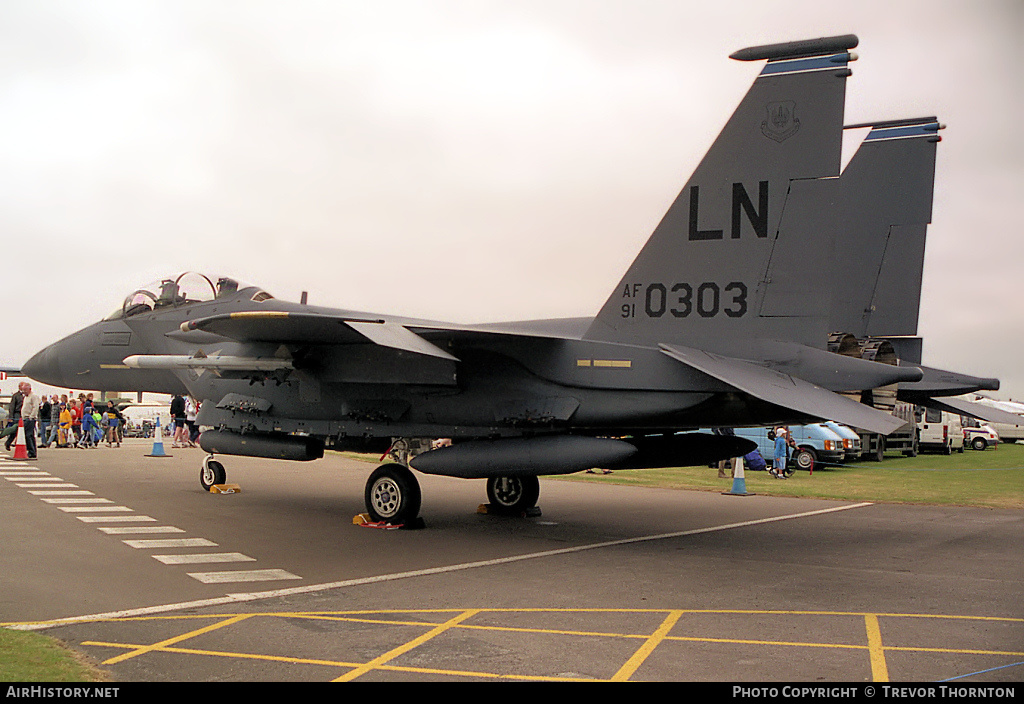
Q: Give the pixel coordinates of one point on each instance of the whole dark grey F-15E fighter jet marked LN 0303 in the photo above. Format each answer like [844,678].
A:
[724,320]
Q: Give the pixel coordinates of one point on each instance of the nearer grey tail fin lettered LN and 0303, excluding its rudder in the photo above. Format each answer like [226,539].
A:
[701,275]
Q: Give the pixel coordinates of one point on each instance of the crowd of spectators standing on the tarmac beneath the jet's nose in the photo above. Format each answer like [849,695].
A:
[67,421]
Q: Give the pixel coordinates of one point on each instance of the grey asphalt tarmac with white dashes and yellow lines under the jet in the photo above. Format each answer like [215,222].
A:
[126,559]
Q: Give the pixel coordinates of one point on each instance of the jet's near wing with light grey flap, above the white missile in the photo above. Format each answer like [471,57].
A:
[284,327]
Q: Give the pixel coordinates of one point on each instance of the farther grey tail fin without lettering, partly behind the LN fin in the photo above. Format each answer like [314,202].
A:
[880,246]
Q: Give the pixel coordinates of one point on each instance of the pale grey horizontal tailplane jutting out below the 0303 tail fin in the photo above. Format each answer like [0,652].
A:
[786,391]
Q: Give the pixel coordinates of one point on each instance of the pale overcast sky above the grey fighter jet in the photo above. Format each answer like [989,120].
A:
[467,161]
